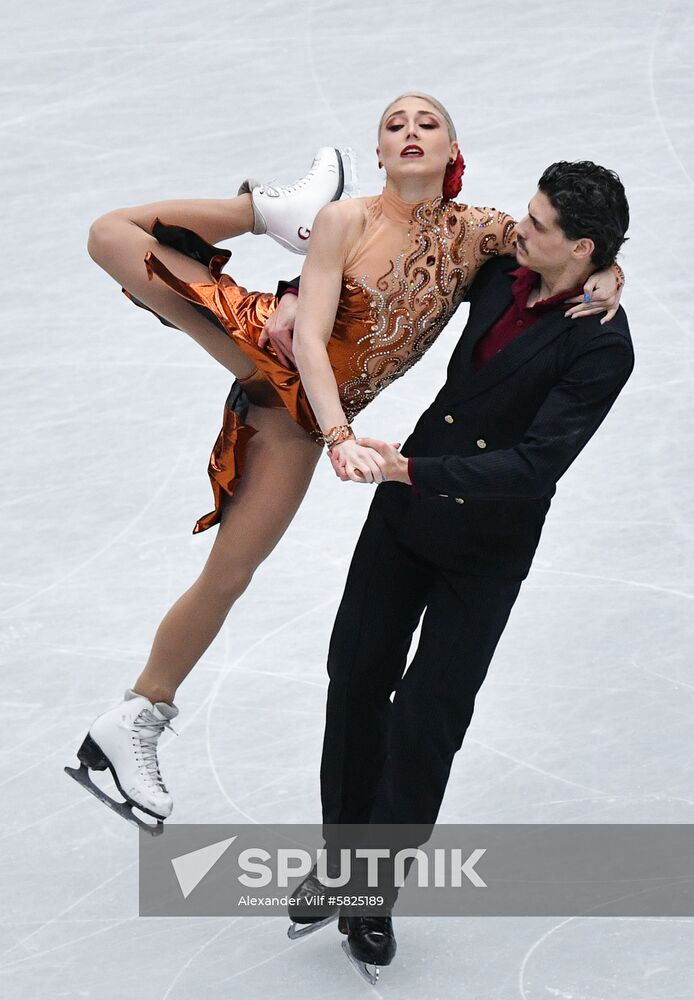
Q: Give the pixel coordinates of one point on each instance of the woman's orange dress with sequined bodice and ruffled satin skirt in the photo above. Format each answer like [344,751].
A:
[404,278]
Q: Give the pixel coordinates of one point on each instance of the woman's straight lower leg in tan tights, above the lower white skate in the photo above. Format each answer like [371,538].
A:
[280,462]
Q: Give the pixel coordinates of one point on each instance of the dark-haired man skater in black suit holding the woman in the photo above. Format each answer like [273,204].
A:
[455,524]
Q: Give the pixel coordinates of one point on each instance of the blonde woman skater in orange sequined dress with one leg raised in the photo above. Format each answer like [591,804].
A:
[382,278]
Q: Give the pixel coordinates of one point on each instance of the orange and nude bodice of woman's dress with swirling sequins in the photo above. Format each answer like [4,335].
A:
[403,281]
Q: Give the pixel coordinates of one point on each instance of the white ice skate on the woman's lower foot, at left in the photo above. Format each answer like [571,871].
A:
[124,740]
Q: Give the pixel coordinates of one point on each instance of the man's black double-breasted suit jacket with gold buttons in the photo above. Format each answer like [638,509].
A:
[487,453]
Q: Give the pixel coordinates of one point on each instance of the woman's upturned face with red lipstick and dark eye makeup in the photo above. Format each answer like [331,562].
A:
[414,140]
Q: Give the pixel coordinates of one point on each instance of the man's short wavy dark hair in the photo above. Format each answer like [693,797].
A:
[590,203]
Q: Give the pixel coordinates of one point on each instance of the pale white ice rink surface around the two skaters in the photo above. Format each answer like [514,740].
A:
[108,419]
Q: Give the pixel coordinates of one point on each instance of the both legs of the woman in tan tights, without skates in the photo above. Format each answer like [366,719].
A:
[280,456]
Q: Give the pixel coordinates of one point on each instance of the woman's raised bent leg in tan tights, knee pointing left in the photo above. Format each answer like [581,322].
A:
[118,242]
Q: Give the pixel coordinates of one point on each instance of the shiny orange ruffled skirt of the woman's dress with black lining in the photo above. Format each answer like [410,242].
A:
[241,315]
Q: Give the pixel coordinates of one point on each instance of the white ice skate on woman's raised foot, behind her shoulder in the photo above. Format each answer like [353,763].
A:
[286,213]
